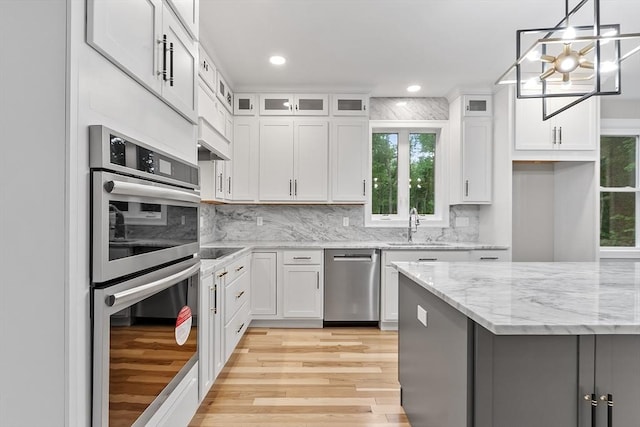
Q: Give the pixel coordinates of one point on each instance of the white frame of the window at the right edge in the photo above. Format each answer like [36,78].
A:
[629,128]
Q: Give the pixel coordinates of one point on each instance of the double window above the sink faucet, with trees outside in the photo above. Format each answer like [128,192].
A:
[406,172]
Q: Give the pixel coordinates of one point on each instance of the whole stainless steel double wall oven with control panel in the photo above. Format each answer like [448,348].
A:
[145,275]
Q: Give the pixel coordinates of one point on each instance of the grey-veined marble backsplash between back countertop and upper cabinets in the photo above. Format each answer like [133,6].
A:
[320,223]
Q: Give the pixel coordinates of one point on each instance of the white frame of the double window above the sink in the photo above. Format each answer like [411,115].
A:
[440,217]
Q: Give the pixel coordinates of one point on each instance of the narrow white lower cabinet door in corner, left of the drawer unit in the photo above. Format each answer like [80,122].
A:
[263,284]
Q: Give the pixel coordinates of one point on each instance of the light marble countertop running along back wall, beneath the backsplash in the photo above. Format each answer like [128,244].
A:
[208,265]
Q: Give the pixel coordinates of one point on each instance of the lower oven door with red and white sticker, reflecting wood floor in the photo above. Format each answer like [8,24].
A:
[144,342]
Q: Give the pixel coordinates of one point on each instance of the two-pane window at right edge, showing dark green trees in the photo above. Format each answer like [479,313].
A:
[618,191]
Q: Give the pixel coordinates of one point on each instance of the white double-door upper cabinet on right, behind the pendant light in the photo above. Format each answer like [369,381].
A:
[572,130]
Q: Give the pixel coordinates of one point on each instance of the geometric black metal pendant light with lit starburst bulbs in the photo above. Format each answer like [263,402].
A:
[571,62]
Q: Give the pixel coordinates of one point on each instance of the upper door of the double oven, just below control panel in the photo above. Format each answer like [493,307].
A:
[138,224]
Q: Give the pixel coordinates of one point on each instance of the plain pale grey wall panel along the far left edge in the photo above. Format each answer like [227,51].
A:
[33,212]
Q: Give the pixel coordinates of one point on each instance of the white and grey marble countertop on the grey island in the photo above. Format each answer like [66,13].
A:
[550,298]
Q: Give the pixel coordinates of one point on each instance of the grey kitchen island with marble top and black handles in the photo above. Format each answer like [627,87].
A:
[520,344]
